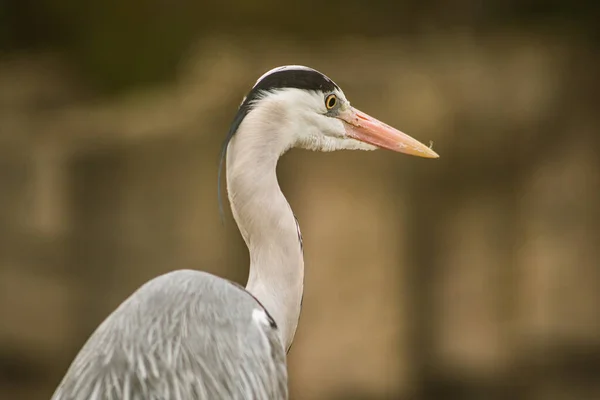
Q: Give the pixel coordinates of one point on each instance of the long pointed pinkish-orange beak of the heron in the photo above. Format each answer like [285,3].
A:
[365,128]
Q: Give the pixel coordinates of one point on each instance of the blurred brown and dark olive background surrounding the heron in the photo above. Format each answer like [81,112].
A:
[474,276]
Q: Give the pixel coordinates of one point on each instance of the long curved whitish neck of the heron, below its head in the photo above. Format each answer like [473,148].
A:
[266,221]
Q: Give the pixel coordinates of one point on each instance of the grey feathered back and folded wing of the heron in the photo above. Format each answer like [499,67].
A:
[183,335]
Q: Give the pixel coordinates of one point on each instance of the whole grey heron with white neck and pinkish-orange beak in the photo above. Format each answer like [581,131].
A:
[190,335]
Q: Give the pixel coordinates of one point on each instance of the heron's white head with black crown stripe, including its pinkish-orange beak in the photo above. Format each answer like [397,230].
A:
[310,111]
